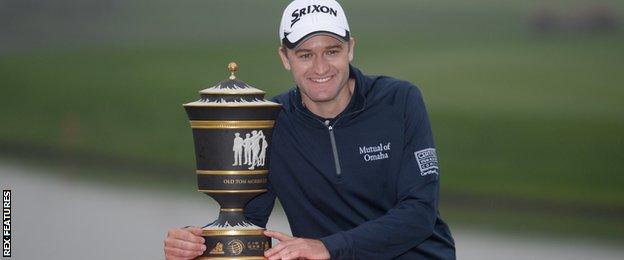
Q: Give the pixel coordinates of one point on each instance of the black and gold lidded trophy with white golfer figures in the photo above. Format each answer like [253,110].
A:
[232,125]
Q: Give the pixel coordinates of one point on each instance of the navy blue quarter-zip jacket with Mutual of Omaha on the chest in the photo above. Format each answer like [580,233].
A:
[366,182]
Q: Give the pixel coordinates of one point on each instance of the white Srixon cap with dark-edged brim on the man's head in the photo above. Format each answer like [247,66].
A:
[304,18]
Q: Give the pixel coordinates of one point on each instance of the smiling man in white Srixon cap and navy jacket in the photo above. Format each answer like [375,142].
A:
[353,161]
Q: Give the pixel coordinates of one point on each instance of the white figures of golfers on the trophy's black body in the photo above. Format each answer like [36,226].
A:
[251,150]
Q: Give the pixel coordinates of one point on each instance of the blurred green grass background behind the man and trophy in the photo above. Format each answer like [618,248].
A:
[525,97]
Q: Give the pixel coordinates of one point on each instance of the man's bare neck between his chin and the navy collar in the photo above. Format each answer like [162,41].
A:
[331,108]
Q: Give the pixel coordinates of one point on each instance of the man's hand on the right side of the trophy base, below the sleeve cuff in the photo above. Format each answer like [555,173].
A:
[295,247]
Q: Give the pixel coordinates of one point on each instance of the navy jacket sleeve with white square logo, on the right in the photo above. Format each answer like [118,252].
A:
[411,220]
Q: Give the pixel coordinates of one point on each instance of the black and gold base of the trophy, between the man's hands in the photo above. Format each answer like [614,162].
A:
[241,244]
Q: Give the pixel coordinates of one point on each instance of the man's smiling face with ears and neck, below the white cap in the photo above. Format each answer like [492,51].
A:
[320,67]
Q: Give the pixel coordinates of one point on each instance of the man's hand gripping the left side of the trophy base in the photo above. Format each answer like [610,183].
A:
[184,243]
